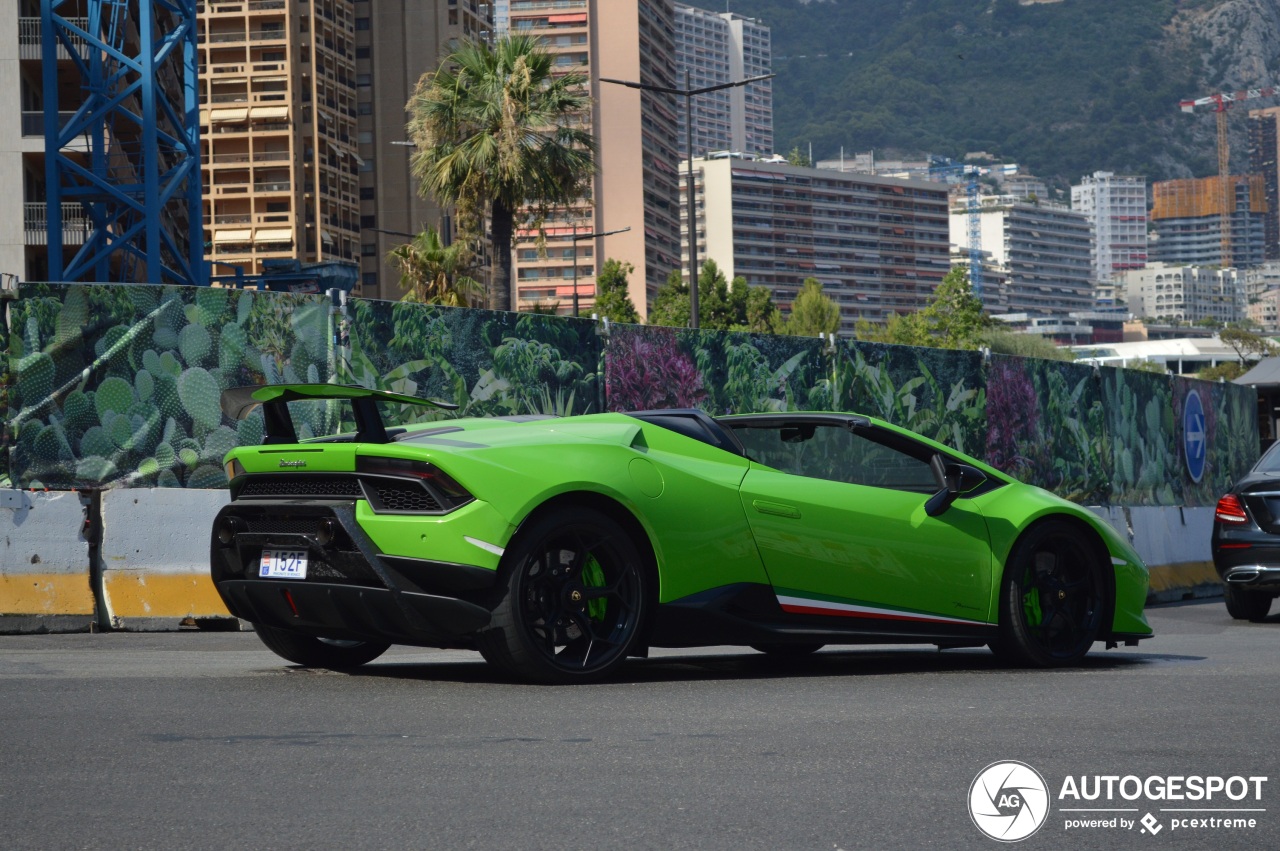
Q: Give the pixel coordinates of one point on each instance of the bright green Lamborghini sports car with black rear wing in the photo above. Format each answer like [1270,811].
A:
[560,547]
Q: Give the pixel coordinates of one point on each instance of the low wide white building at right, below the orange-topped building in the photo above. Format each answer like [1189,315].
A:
[1186,294]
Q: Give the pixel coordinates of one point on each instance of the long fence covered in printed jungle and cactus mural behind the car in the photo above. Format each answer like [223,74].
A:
[118,387]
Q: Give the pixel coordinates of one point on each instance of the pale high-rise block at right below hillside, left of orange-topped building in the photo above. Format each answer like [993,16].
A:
[1117,207]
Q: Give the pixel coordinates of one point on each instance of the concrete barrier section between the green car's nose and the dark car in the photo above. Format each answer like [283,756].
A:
[1174,543]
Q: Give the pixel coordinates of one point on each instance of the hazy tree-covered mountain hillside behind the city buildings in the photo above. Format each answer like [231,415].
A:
[1063,88]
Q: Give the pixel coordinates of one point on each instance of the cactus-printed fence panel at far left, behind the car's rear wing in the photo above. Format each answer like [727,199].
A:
[120,386]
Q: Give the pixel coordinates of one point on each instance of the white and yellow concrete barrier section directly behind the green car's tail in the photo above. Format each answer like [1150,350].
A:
[156,559]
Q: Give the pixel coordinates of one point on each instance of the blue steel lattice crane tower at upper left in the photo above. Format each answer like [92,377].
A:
[131,150]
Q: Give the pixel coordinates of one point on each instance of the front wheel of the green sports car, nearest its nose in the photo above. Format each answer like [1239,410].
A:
[1053,598]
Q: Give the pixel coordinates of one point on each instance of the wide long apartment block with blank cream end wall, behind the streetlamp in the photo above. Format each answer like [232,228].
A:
[880,246]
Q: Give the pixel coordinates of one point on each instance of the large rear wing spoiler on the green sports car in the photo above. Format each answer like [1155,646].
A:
[241,401]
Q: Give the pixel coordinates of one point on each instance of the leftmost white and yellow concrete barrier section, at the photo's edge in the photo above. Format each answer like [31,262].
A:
[45,583]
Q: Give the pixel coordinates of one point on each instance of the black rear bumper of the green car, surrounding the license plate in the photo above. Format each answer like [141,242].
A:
[353,591]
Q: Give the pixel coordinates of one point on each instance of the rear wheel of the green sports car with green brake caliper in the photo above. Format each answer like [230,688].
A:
[577,600]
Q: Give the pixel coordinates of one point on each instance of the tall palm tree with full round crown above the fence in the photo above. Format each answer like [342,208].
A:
[499,131]
